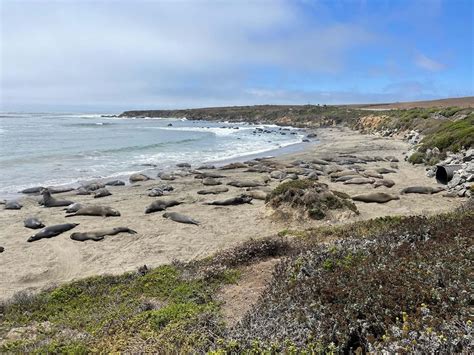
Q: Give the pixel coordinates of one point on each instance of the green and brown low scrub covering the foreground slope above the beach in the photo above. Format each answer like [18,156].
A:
[395,284]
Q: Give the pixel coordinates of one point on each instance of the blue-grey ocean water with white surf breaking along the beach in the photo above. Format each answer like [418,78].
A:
[61,149]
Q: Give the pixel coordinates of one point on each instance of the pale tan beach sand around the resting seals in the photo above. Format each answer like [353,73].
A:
[32,266]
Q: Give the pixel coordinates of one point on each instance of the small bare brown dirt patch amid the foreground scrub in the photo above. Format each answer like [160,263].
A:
[239,298]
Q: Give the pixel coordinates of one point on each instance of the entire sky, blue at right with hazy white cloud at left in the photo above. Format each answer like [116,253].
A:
[112,55]
